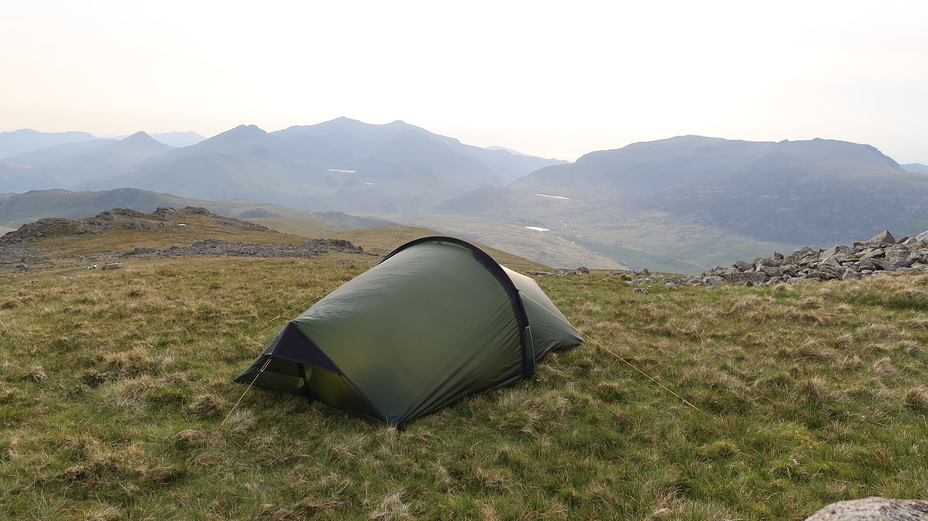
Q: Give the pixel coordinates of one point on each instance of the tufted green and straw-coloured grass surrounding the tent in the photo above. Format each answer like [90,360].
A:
[117,402]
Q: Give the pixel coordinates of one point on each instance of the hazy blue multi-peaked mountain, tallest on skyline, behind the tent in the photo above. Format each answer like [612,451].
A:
[343,165]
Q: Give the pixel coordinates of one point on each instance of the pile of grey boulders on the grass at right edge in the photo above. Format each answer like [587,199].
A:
[881,253]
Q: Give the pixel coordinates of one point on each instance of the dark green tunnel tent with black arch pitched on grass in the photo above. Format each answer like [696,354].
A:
[435,320]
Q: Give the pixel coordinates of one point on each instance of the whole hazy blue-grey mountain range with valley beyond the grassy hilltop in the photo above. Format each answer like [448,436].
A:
[681,204]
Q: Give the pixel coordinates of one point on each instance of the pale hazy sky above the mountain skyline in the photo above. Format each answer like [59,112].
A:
[545,78]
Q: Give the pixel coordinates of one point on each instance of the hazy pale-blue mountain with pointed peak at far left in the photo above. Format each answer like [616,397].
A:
[73,164]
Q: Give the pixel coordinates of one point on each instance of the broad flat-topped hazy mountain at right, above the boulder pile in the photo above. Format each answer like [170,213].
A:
[689,202]
